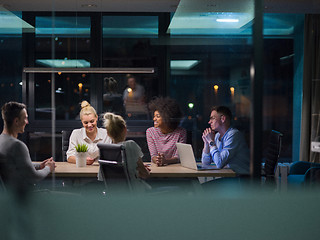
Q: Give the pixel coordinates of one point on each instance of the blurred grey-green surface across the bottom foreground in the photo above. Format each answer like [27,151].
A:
[253,213]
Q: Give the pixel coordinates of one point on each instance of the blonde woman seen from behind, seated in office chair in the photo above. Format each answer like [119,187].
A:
[117,130]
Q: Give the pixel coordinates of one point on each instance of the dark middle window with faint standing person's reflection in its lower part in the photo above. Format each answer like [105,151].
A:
[128,42]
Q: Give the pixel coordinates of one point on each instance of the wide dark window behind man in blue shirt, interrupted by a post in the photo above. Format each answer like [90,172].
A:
[213,68]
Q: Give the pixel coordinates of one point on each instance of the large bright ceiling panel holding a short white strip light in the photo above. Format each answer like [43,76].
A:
[196,17]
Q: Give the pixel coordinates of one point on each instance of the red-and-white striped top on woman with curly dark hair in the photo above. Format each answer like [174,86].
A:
[165,143]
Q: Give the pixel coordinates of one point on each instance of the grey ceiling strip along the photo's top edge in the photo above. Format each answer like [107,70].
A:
[276,6]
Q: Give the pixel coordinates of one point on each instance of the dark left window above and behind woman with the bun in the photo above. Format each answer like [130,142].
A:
[62,42]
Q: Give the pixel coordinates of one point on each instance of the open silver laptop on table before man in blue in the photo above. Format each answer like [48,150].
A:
[188,160]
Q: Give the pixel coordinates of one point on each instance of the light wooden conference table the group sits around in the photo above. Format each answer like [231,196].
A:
[69,170]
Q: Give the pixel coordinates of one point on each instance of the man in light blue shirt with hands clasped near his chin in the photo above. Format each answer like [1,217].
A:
[224,145]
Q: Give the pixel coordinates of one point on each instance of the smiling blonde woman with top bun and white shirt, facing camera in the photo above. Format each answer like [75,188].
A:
[89,134]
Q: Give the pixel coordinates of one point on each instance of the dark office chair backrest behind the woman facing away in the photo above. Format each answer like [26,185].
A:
[114,169]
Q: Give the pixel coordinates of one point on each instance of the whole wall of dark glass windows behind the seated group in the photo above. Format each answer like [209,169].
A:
[197,57]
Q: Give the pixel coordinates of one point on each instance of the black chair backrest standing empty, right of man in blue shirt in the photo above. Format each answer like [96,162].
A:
[273,152]
